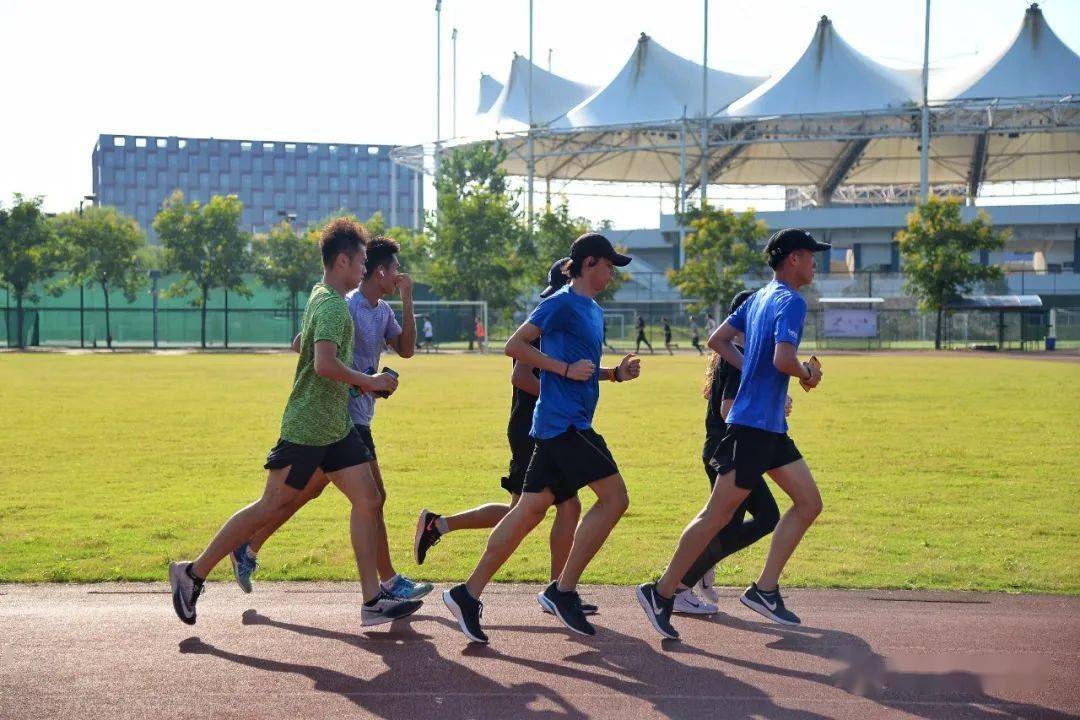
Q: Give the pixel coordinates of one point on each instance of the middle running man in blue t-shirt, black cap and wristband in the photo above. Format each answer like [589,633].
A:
[570,455]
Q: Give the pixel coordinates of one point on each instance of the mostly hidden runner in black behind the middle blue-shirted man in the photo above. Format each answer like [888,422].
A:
[431,527]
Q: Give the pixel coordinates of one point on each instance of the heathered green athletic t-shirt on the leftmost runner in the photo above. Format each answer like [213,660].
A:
[318,410]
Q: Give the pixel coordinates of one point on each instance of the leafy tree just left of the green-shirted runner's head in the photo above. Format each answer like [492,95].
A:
[288,261]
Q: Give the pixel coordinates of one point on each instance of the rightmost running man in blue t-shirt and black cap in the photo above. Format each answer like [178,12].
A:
[757,442]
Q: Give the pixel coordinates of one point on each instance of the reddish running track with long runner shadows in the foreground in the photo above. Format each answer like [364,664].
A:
[296,650]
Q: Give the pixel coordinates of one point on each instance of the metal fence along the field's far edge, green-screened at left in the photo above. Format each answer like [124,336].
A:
[76,318]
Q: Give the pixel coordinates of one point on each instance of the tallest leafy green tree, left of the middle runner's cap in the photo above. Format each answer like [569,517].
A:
[476,236]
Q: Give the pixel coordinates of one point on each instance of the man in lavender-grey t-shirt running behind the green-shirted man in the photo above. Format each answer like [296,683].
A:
[375,328]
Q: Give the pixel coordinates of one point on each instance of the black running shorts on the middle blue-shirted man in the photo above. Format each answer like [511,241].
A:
[569,463]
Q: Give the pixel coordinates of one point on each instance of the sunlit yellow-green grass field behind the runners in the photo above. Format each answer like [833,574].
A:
[938,472]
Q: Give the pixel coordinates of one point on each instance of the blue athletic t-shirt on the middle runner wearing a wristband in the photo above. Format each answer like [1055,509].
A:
[572,329]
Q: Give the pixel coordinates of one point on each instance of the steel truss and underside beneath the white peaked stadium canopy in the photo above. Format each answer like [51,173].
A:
[835,145]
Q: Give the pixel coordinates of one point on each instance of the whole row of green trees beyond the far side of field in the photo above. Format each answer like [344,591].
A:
[478,246]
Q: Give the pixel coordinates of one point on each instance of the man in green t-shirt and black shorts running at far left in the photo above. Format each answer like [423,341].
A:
[317,433]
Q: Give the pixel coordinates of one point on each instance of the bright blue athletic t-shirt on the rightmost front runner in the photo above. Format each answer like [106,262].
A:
[774,315]
